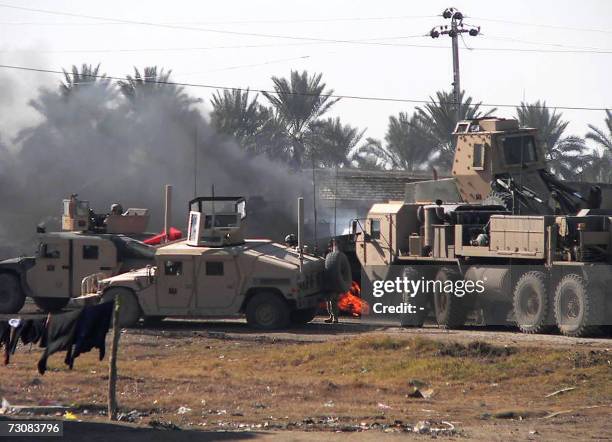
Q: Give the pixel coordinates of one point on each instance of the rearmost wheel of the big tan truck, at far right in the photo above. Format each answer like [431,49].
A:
[578,308]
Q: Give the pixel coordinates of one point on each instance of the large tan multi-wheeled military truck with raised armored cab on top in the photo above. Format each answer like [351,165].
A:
[542,251]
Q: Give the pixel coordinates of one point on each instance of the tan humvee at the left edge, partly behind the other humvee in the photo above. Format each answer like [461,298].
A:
[90,243]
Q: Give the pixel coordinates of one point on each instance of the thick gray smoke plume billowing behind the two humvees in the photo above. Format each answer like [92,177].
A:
[94,141]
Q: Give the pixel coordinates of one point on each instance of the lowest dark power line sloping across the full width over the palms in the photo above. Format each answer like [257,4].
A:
[348,97]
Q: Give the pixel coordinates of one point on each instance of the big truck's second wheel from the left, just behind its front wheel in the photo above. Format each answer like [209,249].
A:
[451,311]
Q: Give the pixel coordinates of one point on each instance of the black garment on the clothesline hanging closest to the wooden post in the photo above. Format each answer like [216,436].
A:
[91,330]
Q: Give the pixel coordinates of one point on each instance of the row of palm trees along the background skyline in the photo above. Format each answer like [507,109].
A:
[291,125]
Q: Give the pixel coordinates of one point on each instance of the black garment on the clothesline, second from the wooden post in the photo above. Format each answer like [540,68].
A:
[59,335]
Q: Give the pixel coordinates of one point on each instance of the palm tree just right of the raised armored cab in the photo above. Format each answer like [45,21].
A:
[565,155]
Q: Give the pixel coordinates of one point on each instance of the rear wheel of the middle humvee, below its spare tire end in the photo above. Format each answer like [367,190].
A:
[267,311]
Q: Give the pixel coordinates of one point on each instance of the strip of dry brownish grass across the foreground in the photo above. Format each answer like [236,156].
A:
[230,383]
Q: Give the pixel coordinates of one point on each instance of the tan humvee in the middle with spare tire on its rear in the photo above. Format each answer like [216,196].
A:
[215,272]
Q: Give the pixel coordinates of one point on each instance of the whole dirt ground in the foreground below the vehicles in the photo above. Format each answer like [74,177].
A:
[219,380]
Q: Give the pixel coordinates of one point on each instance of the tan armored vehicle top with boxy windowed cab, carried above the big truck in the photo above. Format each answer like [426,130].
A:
[498,162]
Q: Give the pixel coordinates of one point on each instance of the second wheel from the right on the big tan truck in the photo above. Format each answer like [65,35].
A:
[531,304]
